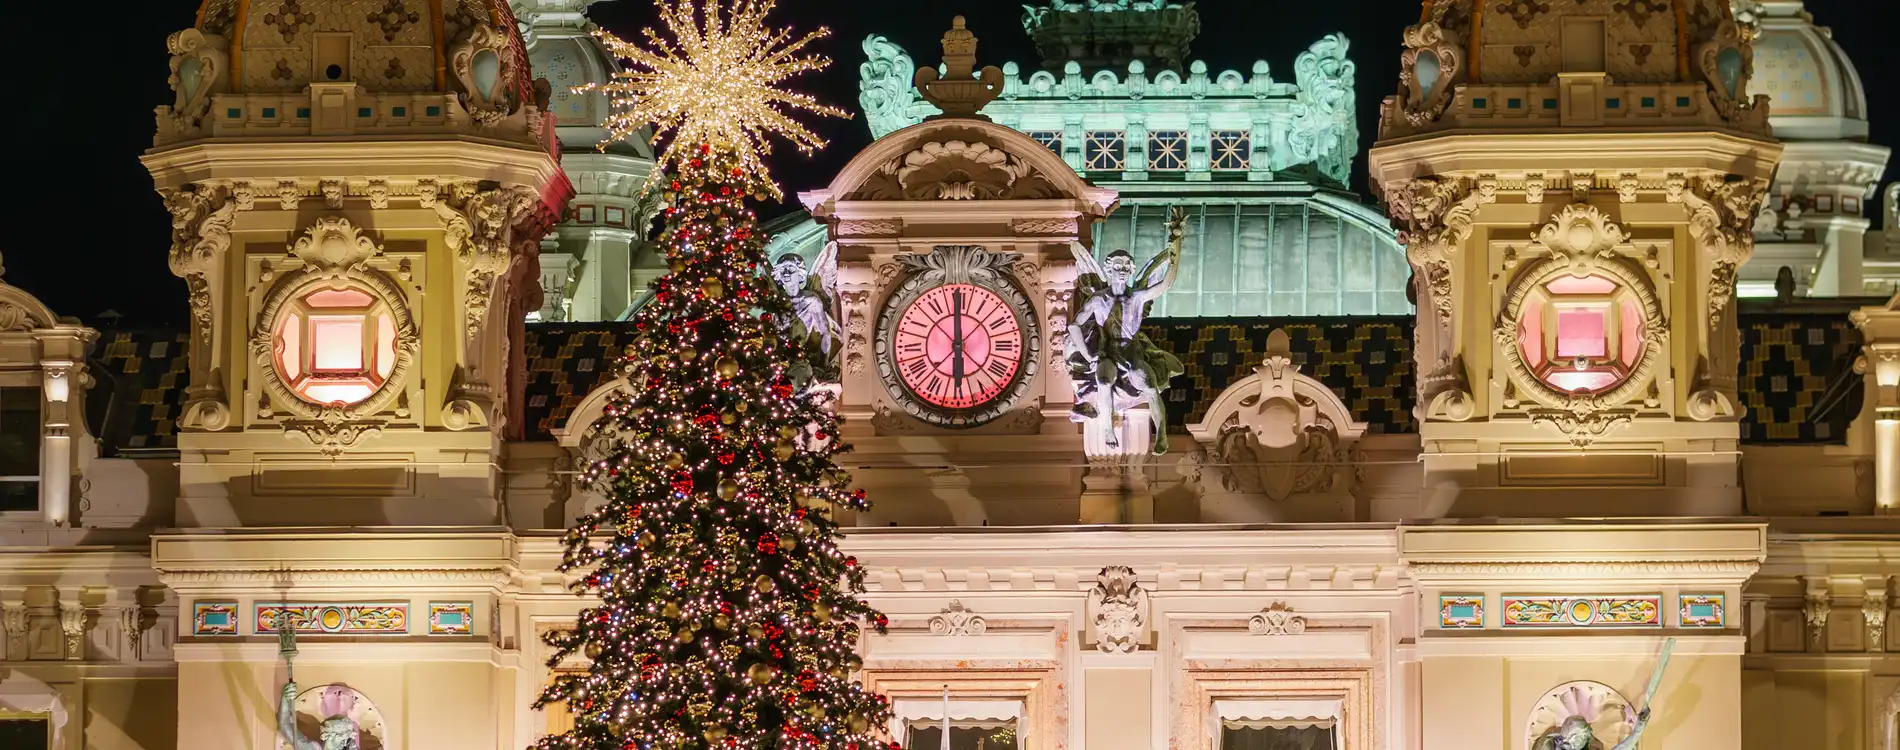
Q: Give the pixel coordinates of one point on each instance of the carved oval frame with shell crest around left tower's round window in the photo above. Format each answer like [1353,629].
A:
[335,255]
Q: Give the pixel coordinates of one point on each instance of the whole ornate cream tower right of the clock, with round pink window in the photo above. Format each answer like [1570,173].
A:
[1576,189]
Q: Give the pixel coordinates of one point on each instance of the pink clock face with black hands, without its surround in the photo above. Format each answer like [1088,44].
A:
[959,347]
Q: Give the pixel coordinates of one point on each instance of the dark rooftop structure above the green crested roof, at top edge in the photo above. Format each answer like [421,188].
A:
[1112,33]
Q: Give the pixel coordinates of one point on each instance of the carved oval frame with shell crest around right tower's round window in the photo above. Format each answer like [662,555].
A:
[1582,242]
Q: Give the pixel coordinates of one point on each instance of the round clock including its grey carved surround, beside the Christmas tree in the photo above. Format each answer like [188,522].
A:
[959,341]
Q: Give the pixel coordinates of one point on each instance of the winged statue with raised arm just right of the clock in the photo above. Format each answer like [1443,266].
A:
[1112,364]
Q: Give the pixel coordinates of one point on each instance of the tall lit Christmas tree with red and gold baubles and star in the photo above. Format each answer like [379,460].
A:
[729,616]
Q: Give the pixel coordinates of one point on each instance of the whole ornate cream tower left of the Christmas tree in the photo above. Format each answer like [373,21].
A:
[358,204]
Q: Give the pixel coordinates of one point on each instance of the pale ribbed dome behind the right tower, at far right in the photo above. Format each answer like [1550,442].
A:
[1815,90]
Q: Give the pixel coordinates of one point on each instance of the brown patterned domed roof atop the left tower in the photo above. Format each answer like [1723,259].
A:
[383,47]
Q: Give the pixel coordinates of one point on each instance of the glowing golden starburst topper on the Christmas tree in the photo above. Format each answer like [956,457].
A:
[715,77]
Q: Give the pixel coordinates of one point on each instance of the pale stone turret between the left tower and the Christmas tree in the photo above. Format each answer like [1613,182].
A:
[596,265]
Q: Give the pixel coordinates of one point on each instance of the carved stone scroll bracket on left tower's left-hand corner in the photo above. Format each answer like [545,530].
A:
[200,234]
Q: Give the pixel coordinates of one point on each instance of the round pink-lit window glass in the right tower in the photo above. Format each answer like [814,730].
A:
[1582,335]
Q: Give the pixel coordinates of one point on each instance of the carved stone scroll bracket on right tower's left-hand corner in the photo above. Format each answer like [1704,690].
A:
[1435,217]
